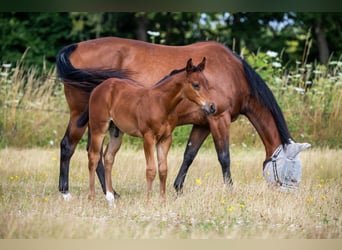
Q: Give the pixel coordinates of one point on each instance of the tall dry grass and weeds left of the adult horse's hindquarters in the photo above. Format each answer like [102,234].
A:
[28,107]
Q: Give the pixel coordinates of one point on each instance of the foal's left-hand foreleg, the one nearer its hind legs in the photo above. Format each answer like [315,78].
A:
[149,146]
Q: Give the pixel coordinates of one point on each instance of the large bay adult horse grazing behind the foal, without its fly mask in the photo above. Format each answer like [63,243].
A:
[237,87]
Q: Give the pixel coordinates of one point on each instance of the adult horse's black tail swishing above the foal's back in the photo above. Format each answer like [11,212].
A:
[85,79]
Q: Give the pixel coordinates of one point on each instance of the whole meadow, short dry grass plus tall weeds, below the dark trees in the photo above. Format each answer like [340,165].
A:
[34,116]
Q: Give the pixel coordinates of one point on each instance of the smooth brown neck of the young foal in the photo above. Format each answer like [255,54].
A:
[168,93]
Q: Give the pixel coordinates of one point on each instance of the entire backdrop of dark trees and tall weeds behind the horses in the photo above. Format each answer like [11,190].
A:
[308,92]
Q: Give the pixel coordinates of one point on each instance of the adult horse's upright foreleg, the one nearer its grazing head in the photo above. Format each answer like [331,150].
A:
[219,128]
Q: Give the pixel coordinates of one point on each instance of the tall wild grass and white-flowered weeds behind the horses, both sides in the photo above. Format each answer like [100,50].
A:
[33,110]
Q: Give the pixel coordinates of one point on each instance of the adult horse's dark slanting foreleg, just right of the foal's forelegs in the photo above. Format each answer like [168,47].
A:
[197,136]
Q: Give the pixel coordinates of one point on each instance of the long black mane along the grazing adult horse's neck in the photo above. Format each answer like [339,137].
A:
[263,94]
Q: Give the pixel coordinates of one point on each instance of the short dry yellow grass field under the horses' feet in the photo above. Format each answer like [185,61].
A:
[31,206]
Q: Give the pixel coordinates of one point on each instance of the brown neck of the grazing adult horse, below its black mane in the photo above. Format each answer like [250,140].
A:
[265,124]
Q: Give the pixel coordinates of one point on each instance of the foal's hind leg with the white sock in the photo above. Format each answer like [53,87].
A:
[113,146]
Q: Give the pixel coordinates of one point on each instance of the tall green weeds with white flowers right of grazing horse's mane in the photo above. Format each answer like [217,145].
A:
[309,94]
